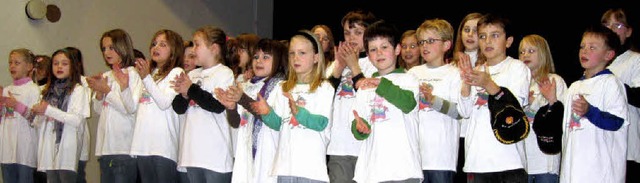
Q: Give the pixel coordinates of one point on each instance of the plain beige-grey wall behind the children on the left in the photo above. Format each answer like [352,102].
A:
[83,22]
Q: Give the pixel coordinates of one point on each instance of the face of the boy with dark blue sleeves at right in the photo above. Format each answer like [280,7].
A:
[594,54]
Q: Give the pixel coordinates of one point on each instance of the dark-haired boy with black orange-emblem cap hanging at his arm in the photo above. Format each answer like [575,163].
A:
[505,79]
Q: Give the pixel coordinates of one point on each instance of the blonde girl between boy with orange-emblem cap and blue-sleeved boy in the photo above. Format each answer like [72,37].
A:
[542,167]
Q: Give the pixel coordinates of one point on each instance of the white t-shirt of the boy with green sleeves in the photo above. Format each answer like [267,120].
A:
[391,152]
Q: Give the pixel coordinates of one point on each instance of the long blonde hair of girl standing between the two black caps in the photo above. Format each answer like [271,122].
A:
[544,53]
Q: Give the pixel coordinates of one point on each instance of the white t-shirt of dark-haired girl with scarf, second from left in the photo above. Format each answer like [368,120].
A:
[64,155]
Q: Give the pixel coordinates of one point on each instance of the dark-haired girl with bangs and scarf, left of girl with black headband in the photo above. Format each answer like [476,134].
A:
[257,142]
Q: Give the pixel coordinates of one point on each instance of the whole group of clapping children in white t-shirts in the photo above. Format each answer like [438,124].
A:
[382,108]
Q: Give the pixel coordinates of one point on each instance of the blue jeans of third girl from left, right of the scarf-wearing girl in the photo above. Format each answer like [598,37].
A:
[118,169]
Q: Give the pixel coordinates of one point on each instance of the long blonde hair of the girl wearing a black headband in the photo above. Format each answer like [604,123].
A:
[318,71]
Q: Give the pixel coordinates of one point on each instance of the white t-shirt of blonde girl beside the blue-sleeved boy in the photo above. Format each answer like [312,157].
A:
[537,161]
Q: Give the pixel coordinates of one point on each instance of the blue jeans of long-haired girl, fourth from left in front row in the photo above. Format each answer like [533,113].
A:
[157,169]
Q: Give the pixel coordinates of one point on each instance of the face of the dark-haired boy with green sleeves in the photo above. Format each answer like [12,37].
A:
[383,54]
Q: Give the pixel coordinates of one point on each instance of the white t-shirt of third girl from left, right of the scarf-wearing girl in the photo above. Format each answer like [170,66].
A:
[116,122]
